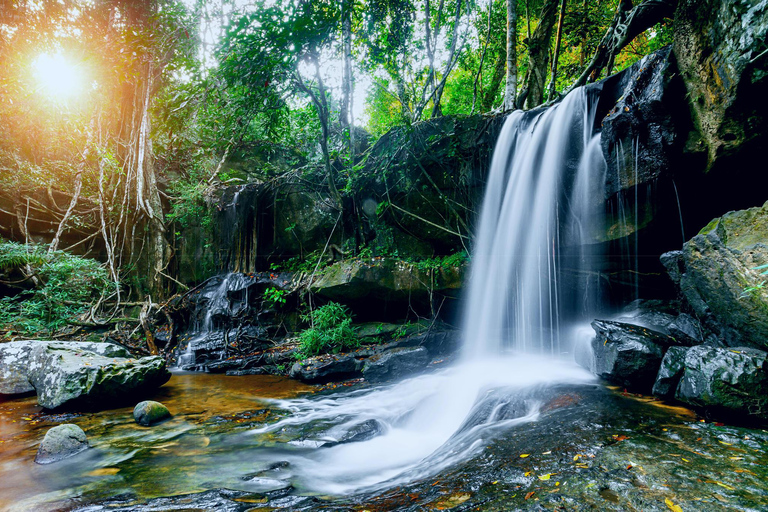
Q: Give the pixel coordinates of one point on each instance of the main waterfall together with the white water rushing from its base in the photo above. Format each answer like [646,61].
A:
[530,257]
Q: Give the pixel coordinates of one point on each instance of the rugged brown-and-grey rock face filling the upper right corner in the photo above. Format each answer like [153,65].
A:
[720,46]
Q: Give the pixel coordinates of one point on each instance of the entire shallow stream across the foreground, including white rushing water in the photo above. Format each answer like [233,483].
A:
[562,442]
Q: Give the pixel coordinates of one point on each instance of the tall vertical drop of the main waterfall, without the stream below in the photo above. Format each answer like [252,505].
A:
[532,262]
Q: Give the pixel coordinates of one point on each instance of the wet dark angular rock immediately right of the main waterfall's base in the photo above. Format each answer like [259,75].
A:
[628,355]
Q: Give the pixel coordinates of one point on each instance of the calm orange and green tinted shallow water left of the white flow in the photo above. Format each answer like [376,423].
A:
[188,453]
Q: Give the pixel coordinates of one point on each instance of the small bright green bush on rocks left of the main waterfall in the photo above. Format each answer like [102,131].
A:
[330,331]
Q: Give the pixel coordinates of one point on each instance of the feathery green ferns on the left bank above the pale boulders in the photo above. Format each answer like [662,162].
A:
[67,283]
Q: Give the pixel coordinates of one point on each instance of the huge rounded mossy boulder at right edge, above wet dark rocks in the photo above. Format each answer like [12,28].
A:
[719,265]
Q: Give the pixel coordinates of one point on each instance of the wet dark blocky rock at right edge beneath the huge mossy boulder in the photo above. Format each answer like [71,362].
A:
[725,381]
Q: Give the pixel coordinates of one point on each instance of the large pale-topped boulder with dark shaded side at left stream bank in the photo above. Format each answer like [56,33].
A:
[62,375]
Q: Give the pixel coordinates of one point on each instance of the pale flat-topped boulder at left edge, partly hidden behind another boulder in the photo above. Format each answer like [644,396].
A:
[15,360]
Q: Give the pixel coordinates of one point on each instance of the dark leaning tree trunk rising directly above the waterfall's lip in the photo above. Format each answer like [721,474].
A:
[538,56]
